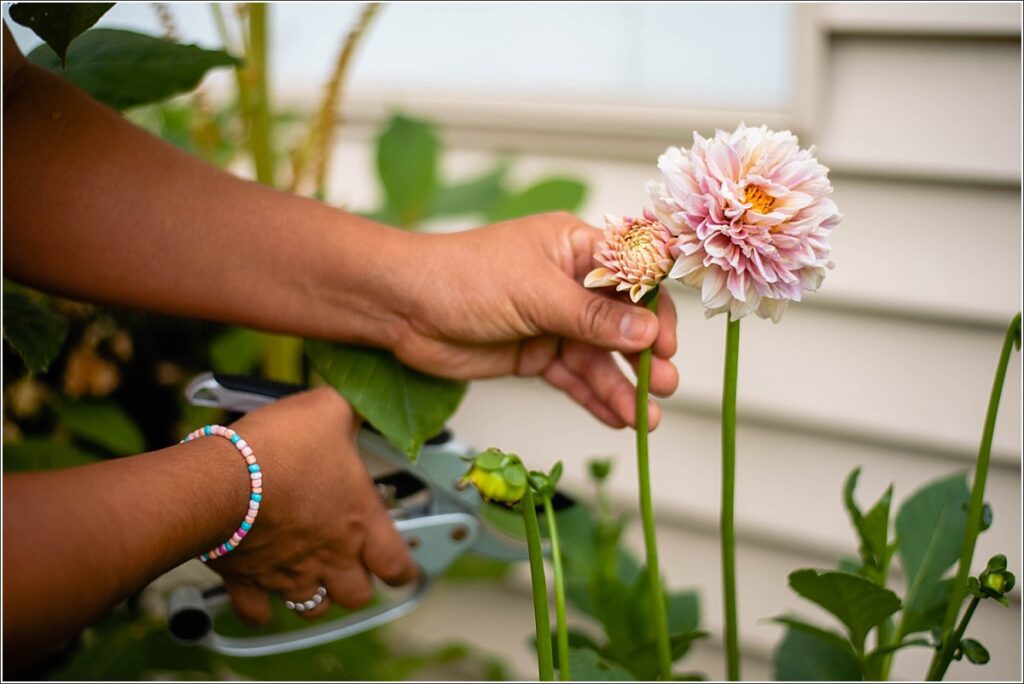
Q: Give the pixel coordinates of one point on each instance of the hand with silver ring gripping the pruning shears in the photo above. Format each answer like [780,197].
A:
[323,523]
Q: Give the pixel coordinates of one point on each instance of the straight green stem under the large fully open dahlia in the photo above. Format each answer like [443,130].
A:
[729,498]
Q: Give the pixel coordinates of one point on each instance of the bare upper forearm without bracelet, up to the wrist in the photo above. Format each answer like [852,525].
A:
[98,209]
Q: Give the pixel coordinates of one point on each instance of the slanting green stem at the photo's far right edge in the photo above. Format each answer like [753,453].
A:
[942,660]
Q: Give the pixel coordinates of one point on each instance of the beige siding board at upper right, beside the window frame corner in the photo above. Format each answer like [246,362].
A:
[928,106]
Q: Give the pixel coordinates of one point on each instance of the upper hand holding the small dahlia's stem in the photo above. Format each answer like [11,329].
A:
[508,298]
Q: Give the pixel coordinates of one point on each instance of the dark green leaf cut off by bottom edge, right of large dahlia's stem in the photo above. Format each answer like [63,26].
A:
[808,654]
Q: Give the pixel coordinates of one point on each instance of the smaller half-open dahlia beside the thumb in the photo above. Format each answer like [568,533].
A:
[635,255]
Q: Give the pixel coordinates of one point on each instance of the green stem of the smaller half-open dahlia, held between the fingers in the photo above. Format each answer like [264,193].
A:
[648,510]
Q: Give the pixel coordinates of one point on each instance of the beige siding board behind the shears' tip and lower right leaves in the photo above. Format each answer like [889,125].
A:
[775,504]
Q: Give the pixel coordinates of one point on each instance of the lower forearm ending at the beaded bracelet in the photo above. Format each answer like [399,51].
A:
[78,542]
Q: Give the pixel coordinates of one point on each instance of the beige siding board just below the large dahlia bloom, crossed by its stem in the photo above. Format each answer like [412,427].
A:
[925,383]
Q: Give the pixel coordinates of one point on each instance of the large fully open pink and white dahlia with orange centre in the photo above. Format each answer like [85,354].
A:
[752,220]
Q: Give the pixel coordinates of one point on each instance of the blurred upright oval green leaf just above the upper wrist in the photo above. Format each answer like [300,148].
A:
[407,164]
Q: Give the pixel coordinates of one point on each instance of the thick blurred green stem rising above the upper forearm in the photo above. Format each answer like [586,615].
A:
[260,100]
